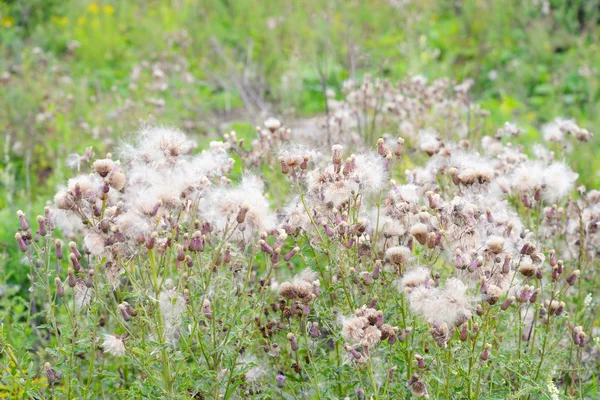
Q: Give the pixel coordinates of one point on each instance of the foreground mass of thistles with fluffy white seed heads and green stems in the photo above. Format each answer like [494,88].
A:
[436,264]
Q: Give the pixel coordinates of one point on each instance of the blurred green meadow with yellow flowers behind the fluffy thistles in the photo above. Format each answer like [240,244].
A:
[77,73]
